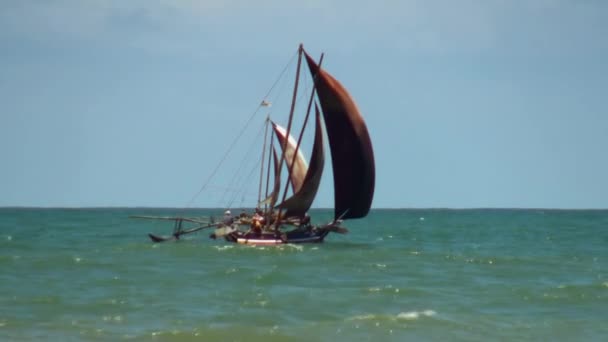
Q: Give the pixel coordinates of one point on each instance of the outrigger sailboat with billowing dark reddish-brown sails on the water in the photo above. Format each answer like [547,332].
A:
[280,219]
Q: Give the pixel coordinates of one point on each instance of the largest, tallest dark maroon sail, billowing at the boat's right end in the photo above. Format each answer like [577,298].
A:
[351,148]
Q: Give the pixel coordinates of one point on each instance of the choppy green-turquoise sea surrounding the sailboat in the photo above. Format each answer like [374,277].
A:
[399,275]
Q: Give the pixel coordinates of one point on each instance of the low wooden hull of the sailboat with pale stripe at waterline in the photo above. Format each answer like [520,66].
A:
[270,238]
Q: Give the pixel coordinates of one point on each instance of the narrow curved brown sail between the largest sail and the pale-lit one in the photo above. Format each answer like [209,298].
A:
[300,202]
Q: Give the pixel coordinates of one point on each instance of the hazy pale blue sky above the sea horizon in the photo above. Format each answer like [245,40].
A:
[469,103]
